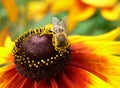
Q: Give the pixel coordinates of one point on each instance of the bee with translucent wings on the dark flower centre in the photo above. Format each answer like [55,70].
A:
[60,29]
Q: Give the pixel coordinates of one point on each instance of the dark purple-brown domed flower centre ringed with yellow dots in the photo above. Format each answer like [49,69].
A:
[37,57]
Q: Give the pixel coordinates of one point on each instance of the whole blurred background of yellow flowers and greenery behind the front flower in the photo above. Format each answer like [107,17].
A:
[85,17]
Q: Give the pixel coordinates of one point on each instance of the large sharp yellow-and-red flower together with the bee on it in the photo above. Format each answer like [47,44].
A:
[46,58]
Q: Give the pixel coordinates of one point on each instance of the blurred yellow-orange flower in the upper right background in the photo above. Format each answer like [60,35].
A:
[80,10]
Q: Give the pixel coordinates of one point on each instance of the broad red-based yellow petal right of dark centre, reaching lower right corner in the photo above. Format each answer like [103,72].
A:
[103,65]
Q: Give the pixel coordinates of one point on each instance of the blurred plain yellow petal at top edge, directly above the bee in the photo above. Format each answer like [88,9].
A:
[62,5]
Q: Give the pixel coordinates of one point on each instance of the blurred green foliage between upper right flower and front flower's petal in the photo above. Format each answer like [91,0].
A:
[95,25]
